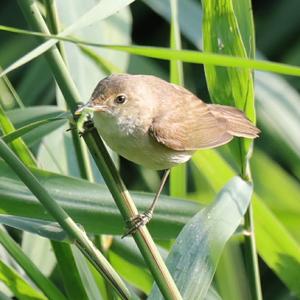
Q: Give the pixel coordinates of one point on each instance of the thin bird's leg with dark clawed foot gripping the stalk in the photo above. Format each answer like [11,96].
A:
[142,219]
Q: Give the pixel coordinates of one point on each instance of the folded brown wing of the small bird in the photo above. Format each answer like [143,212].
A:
[190,126]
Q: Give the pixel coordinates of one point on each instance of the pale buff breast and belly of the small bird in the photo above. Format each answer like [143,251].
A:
[130,139]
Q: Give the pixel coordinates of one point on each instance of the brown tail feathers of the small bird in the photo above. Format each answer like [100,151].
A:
[237,123]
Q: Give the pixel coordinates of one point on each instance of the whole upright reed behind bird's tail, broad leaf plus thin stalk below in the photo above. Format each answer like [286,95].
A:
[234,86]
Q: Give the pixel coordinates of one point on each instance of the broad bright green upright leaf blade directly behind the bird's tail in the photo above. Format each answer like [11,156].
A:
[228,86]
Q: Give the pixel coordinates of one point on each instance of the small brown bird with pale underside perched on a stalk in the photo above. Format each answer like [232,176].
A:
[159,125]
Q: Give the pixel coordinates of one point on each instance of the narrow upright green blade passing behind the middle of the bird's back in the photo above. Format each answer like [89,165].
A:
[178,173]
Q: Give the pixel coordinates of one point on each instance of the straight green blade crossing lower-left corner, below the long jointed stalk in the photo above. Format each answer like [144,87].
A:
[46,286]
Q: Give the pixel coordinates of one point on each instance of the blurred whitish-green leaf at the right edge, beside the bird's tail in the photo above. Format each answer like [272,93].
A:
[279,115]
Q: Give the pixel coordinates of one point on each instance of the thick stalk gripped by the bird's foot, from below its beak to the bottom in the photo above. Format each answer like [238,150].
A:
[128,210]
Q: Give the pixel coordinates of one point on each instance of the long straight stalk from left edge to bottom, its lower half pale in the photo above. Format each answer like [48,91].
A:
[72,229]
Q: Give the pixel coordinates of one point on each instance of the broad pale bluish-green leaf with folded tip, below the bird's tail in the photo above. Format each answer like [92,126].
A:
[196,252]
